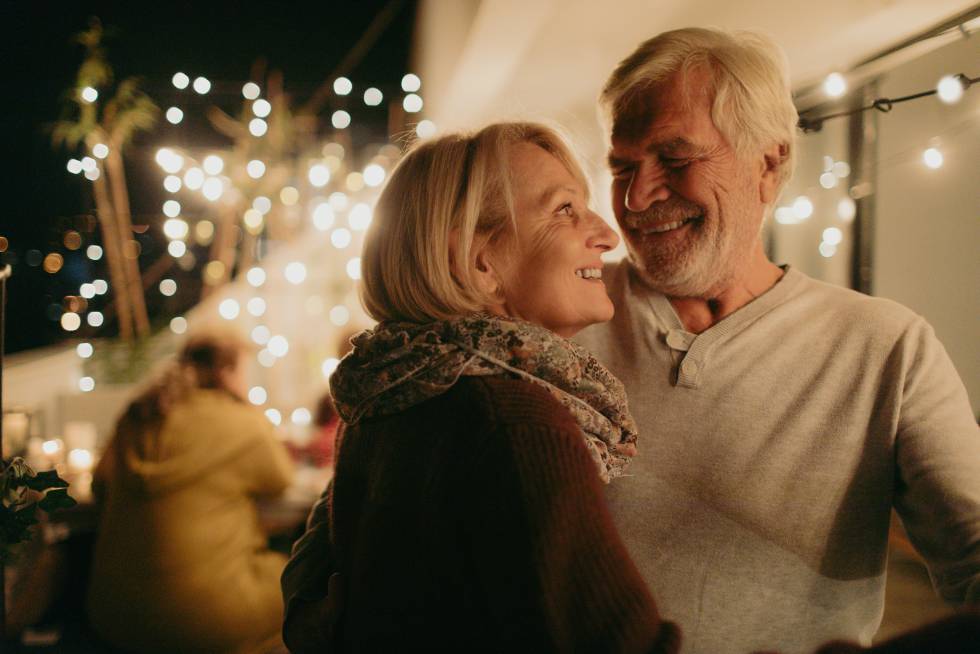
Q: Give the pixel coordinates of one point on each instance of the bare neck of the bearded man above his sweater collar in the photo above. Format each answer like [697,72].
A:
[697,314]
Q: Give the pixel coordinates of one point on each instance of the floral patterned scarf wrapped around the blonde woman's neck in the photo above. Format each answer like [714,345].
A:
[400,364]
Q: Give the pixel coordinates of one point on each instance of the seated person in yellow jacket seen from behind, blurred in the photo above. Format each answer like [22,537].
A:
[181,563]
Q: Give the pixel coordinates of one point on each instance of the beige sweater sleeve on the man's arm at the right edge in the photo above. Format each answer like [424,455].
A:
[938,457]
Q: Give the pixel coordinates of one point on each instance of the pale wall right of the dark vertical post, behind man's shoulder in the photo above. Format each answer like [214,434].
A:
[927,228]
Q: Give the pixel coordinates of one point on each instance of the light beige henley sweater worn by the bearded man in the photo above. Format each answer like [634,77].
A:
[772,449]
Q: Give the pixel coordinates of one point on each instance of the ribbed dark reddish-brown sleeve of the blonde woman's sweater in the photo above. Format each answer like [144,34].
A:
[556,575]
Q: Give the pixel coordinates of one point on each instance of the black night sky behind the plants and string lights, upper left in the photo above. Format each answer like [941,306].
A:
[221,41]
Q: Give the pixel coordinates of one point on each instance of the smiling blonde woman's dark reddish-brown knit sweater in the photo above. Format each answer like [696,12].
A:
[475,522]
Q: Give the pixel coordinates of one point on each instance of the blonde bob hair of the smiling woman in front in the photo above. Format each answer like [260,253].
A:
[445,198]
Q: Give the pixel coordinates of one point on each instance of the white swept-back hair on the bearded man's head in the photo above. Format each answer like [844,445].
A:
[752,105]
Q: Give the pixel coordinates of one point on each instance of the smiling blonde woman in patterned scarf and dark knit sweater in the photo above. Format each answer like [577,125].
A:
[466,513]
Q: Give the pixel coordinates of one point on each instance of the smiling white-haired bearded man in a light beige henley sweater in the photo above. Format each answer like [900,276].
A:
[781,418]
